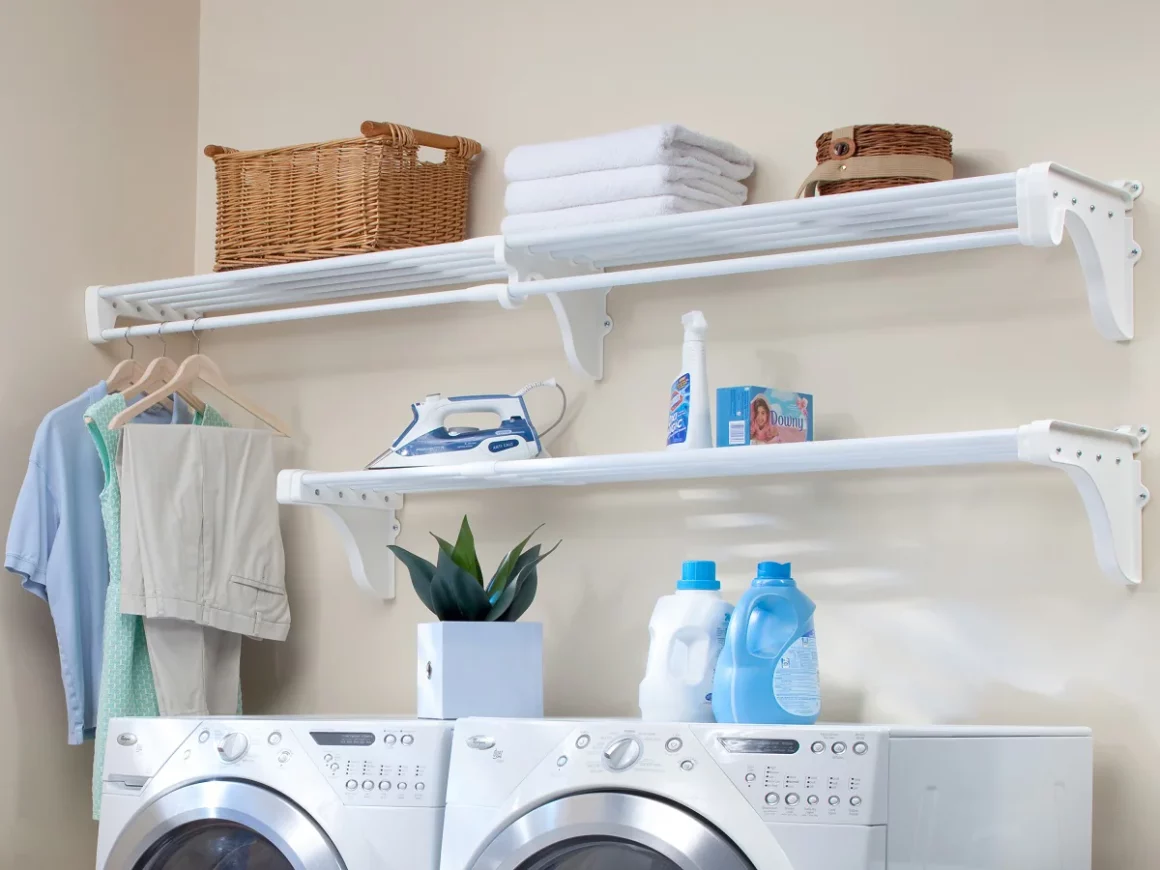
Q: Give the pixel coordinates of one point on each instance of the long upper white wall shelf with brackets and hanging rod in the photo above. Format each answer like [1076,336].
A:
[1032,207]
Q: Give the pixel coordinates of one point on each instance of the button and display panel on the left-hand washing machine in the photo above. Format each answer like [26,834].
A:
[404,766]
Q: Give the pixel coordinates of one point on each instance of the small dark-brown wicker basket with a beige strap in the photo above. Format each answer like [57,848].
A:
[876,156]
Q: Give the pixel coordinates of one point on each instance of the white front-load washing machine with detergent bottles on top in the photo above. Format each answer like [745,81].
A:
[627,795]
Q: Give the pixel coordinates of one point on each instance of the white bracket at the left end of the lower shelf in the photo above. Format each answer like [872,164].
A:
[367,521]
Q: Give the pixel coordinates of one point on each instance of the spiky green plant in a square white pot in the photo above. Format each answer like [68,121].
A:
[477,661]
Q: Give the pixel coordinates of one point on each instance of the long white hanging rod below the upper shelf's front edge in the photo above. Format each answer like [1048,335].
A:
[516,293]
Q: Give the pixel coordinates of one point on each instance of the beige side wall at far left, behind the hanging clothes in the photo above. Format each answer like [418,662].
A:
[99,98]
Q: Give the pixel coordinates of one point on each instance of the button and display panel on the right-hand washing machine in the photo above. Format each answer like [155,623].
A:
[807,775]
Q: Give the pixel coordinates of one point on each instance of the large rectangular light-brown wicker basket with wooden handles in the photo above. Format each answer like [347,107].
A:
[332,199]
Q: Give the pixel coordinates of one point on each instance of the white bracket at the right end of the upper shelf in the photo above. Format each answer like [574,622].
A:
[1098,217]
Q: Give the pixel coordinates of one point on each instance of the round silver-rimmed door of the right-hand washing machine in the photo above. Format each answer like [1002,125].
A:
[611,831]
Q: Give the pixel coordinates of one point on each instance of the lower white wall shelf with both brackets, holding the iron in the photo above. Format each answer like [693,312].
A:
[1100,462]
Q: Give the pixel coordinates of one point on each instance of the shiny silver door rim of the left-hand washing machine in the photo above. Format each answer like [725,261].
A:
[294,833]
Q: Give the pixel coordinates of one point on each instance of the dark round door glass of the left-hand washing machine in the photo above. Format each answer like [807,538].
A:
[214,845]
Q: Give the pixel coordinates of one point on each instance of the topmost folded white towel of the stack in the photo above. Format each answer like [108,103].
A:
[668,144]
